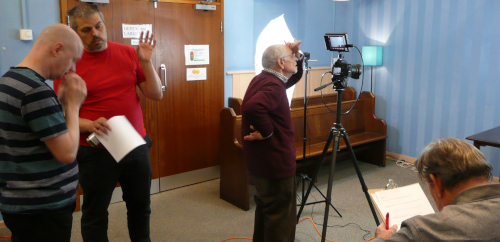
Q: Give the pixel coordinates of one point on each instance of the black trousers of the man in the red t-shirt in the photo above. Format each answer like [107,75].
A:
[99,174]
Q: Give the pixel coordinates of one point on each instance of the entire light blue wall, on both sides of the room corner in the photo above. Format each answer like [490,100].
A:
[440,59]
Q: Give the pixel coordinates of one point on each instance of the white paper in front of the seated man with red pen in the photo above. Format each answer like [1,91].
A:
[402,203]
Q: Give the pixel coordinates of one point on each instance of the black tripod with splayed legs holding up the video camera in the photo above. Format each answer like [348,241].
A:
[336,131]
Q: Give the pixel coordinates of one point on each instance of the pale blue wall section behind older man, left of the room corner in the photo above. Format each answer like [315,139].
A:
[244,20]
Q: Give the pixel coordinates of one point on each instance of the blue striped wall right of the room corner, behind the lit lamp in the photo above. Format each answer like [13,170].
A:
[440,70]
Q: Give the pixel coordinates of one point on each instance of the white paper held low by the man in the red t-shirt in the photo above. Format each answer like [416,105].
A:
[121,139]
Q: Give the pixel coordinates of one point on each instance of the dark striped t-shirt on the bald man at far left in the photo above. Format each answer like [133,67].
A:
[31,180]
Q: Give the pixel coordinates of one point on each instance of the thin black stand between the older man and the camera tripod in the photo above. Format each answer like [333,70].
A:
[302,178]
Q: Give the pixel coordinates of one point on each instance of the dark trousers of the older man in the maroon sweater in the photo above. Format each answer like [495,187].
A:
[276,212]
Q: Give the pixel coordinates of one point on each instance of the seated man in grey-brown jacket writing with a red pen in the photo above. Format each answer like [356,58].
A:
[459,180]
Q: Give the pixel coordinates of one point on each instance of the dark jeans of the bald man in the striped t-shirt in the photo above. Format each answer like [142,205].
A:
[49,226]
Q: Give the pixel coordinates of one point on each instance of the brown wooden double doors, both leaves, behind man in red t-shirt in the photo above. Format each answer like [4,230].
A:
[184,125]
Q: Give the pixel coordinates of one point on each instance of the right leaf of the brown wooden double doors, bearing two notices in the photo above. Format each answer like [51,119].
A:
[188,115]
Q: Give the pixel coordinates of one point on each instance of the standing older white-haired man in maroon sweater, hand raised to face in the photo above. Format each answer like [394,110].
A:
[268,144]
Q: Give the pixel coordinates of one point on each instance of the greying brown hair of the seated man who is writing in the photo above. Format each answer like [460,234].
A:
[453,161]
